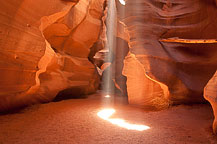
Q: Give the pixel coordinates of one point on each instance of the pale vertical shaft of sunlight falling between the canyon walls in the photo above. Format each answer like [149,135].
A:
[110,43]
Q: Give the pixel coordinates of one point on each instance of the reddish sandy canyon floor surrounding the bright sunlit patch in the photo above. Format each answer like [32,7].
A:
[76,121]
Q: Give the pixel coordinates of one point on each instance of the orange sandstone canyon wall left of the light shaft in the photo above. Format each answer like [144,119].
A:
[44,49]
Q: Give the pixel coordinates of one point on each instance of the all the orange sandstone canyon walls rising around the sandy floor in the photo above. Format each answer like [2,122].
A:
[165,51]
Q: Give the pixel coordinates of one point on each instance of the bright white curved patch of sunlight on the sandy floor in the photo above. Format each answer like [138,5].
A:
[105,114]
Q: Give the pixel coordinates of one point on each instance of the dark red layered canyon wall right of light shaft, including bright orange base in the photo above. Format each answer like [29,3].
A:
[163,73]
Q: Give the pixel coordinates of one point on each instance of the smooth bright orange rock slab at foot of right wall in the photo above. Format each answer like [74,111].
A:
[142,90]
